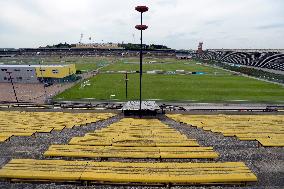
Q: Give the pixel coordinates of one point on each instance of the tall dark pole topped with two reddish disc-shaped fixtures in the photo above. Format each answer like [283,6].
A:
[141,27]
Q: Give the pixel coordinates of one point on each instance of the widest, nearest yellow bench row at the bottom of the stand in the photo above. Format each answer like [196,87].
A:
[124,172]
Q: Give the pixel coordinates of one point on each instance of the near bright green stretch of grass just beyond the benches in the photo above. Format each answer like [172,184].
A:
[201,88]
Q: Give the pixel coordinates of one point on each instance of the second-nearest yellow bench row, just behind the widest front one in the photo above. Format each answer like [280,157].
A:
[130,152]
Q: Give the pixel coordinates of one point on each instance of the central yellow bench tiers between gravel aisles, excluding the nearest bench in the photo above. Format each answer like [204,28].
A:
[133,138]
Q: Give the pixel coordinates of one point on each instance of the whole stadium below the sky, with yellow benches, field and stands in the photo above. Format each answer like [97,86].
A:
[126,115]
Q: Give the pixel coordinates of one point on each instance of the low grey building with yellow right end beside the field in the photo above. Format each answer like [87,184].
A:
[37,73]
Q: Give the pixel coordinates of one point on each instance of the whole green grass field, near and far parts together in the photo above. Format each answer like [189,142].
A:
[215,85]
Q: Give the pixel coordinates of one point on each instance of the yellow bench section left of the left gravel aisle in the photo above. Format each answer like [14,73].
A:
[15,123]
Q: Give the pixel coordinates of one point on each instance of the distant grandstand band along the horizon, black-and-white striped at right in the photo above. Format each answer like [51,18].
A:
[261,58]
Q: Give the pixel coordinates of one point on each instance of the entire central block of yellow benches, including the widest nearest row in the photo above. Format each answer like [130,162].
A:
[141,138]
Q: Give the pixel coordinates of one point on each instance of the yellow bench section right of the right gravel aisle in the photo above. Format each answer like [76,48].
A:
[268,130]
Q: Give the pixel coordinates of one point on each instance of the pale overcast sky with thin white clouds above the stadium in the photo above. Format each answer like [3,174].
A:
[178,24]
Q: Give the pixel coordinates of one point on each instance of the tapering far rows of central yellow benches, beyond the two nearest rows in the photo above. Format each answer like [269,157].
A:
[133,132]
